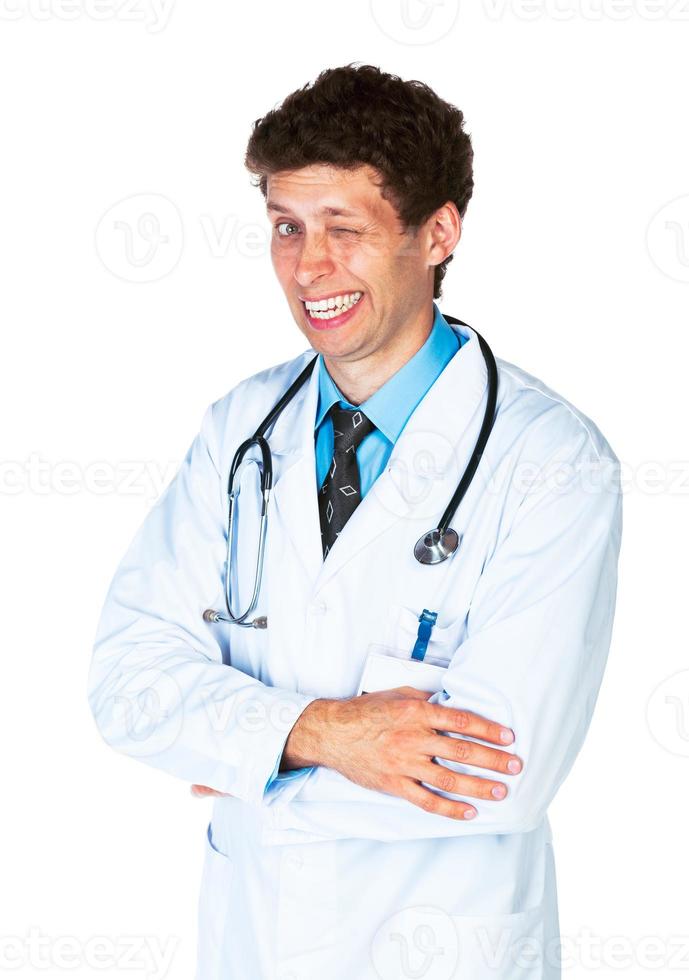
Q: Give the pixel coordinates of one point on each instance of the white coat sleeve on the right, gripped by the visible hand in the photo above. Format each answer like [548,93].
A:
[538,635]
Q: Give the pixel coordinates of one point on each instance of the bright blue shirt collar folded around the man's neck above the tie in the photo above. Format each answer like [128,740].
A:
[391,405]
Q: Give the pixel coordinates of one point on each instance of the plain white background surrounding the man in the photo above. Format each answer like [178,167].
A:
[574,264]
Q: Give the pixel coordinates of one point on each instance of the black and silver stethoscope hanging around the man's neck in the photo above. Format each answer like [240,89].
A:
[432,547]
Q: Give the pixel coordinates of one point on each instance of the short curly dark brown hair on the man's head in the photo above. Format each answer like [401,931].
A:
[357,115]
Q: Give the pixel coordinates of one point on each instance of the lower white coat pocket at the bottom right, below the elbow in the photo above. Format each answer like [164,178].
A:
[502,947]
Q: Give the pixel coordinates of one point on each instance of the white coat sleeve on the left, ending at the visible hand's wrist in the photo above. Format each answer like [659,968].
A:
[158,688]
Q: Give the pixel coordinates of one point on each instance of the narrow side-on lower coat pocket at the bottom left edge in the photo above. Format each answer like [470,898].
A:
[214,924]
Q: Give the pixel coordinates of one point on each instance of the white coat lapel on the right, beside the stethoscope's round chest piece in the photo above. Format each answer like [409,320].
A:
[426,463]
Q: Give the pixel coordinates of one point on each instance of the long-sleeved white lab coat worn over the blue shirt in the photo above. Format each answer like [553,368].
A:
[320,878]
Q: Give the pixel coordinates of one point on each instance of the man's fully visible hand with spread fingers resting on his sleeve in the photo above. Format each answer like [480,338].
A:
[387,741]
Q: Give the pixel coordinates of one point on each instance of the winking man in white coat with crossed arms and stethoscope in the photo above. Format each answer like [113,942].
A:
[401,832]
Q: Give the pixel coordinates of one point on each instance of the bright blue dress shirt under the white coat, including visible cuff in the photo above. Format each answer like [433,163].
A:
[389,408]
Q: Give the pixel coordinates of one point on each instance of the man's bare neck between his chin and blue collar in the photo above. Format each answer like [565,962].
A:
[359,379]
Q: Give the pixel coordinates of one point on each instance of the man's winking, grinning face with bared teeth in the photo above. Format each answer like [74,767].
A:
[336,242]
